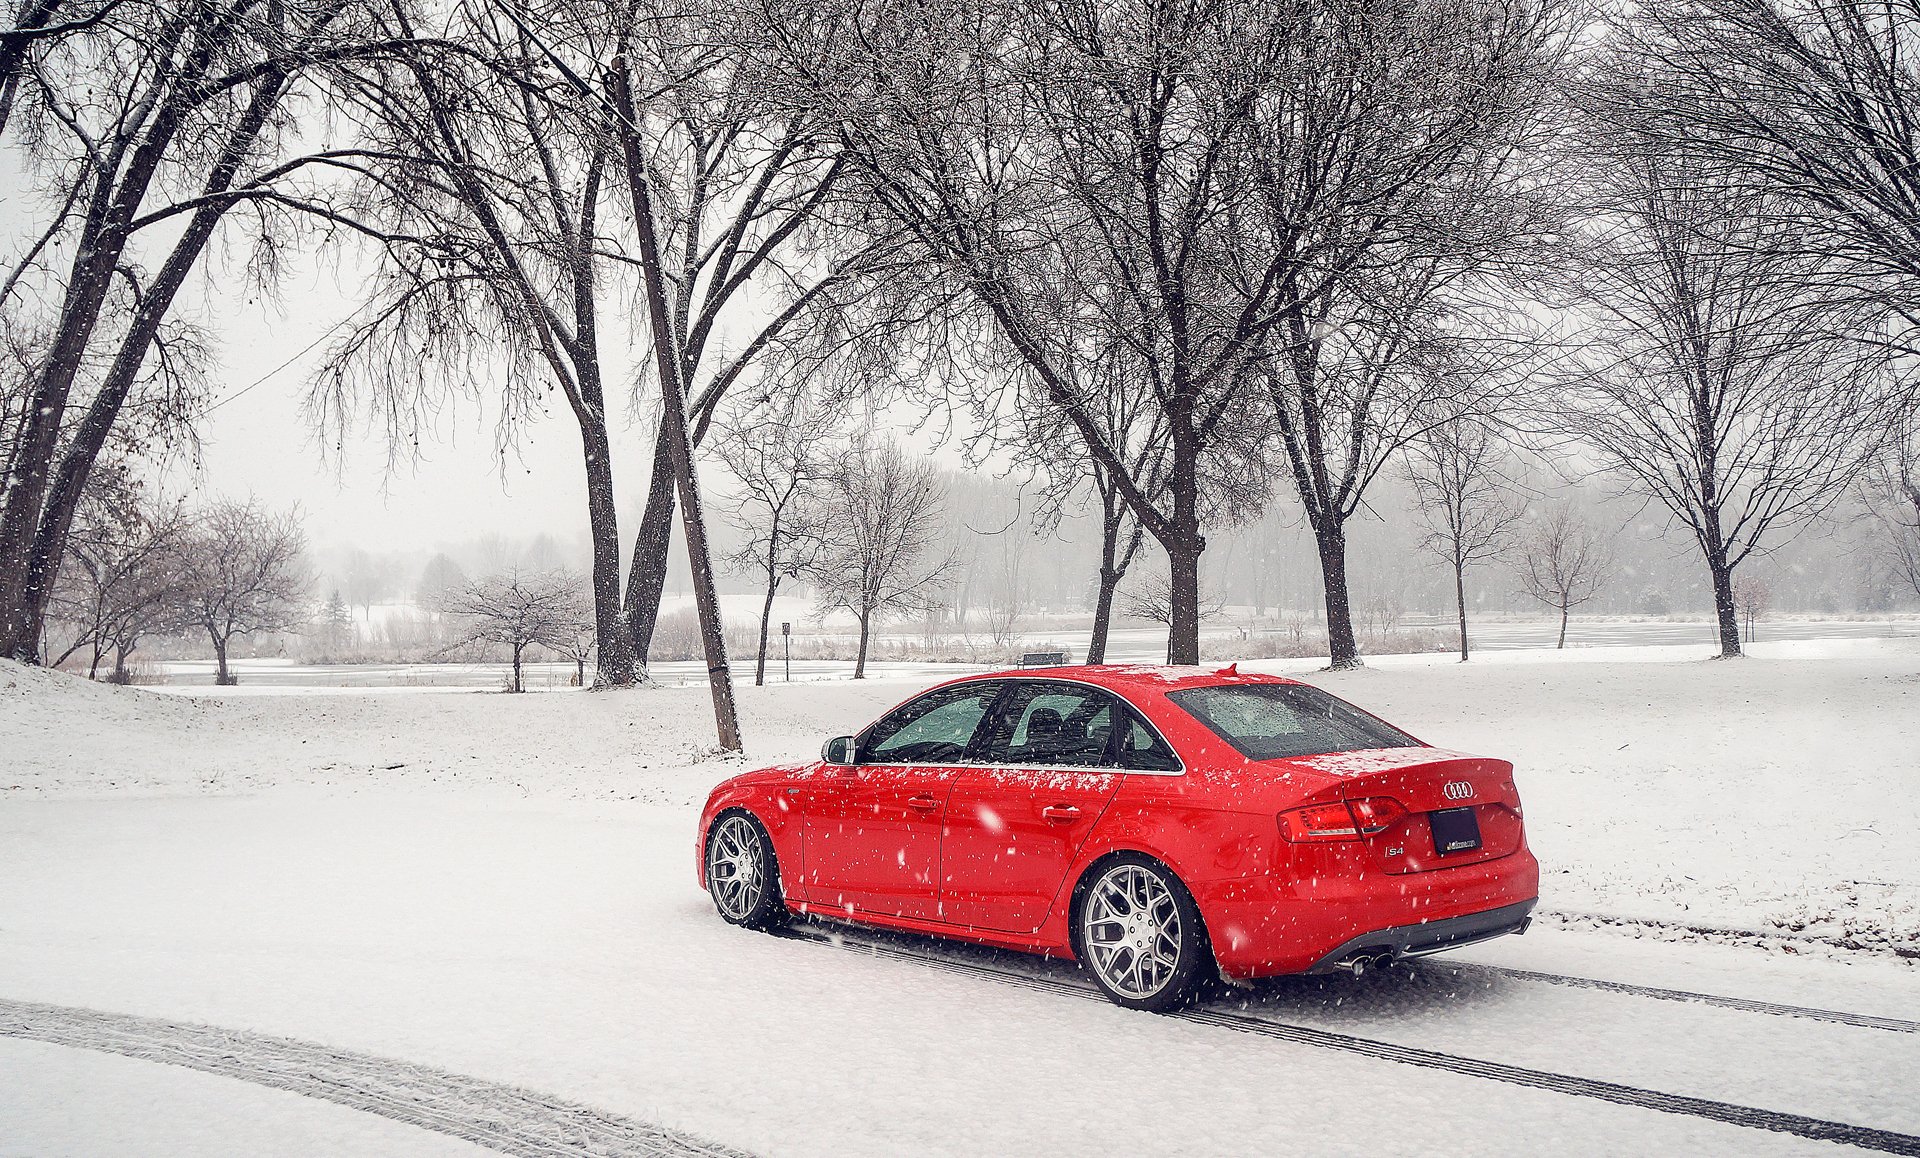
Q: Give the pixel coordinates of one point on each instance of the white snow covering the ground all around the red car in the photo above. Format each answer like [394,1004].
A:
[504,888]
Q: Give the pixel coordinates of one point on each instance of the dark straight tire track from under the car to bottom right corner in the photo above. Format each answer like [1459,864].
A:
[1387,1051]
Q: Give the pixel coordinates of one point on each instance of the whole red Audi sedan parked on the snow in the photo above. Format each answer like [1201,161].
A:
[1157,825]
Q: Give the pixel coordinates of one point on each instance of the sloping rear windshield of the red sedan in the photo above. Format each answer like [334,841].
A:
[1280,721]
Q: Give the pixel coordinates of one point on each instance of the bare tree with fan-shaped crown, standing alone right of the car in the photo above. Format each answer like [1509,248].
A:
[1723,377]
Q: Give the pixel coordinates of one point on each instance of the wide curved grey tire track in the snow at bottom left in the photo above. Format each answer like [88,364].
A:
[504,1119]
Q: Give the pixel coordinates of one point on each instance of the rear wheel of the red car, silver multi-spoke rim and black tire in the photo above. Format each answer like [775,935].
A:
[1168,923]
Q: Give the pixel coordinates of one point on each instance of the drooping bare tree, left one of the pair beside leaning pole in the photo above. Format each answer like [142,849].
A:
[496,187]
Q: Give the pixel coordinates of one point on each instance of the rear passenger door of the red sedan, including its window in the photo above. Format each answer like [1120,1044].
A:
[1017,823]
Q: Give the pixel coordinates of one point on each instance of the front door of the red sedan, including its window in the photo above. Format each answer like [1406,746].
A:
[873,831]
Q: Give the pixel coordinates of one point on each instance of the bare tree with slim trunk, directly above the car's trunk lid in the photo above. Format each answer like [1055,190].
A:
[1403,237]
